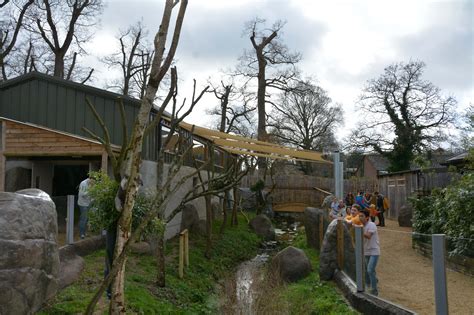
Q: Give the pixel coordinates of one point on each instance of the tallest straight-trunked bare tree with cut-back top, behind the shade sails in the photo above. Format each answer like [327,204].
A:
[271,63]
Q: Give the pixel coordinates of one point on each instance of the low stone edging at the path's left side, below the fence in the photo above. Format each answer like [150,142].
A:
[366,303]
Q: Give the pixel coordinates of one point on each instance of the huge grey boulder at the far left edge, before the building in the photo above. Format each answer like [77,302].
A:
[29,257]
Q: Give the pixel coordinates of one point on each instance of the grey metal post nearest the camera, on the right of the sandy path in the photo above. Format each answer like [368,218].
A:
[439,270]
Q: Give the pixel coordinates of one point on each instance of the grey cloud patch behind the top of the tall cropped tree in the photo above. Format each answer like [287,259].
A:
[217,35]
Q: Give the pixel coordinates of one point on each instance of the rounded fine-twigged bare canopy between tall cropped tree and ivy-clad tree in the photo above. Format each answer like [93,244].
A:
[305,118]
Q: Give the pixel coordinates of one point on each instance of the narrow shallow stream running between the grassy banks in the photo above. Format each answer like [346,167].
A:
[251,272]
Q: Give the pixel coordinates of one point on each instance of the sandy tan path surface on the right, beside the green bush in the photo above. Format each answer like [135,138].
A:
[406,278]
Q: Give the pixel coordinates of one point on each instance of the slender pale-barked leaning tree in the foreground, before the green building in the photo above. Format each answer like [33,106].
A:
[129,173]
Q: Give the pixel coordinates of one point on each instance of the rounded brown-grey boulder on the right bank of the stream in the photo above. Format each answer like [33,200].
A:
[292,264]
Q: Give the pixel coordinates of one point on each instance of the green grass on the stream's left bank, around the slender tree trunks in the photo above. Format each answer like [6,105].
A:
[195,294]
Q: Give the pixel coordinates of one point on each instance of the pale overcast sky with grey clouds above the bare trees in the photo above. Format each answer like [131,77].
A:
[343,43]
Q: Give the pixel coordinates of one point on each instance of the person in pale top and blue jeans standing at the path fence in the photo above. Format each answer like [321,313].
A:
[371,251]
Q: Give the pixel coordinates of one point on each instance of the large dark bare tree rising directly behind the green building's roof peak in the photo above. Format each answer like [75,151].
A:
[62,26]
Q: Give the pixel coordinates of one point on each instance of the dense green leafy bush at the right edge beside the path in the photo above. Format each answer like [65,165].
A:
[449,211]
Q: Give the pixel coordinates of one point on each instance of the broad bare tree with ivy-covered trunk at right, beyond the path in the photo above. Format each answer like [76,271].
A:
[403,114]
